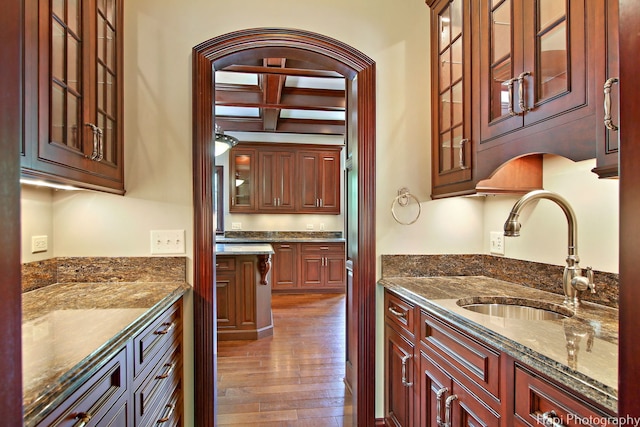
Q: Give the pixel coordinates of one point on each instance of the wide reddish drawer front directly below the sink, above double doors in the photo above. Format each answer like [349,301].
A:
[474,360]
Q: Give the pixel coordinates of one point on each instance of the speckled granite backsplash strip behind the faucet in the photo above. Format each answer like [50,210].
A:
[546,277]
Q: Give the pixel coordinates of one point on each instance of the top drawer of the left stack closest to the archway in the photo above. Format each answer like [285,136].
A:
[156,337]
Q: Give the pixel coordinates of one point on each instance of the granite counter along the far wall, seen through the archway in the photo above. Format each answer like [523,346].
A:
[281,236]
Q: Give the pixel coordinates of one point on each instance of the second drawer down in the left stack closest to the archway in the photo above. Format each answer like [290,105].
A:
[158,387]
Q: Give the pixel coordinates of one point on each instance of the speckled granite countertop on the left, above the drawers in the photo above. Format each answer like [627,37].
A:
[68,328]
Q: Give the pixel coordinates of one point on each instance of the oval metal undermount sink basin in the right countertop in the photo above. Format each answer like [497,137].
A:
[515,308]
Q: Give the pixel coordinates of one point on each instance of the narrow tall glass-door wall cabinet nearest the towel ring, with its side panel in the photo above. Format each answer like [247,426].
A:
[455,136]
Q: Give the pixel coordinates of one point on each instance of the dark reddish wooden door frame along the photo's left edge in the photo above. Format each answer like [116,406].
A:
[11,139]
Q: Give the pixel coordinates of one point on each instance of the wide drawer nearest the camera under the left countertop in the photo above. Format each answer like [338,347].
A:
[95,398]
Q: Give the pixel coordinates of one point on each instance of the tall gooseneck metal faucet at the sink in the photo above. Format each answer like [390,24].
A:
[573,282]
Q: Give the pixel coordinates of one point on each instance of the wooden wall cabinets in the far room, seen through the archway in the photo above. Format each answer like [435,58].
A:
[272,178]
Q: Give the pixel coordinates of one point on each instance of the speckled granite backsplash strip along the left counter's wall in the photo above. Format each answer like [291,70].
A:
[39,274]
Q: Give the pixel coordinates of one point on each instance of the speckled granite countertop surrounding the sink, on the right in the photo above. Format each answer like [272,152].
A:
[542,345]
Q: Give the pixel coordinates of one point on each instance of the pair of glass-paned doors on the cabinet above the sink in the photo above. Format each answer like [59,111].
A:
[533,62]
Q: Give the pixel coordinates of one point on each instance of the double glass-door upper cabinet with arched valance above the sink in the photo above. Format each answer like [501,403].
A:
[536,67]
